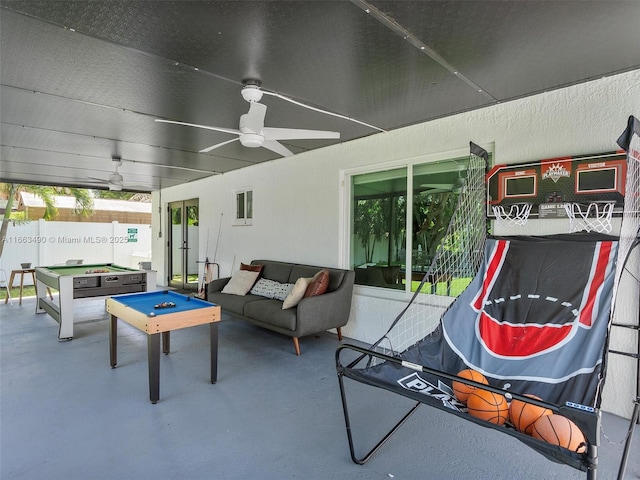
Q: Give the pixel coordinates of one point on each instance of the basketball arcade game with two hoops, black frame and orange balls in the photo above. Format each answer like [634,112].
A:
[494,326]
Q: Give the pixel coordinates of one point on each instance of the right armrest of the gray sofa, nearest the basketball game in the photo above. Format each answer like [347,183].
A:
[329,310]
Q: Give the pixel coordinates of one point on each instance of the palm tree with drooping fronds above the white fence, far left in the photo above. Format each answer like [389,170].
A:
[84,202]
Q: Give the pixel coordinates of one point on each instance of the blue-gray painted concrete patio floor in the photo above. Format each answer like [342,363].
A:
[65,414]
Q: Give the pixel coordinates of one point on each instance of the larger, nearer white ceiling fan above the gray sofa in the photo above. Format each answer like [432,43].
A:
[251,131]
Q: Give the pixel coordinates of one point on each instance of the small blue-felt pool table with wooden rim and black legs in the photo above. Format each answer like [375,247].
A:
[157,314]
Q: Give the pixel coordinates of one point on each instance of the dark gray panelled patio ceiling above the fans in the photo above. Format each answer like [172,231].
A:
[82,81]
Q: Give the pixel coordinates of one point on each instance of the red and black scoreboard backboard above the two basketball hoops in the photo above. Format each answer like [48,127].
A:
[548,184]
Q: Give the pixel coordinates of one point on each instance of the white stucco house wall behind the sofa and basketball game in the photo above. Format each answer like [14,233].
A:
[298,201]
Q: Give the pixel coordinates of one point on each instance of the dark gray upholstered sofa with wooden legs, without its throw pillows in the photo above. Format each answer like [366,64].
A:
[311,315]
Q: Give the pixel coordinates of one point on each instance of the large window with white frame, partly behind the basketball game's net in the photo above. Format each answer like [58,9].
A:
[394,233]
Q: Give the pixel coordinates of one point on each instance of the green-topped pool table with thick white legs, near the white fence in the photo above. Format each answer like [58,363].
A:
[84,281]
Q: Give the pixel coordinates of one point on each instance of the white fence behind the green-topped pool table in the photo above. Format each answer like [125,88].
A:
[50,243]
